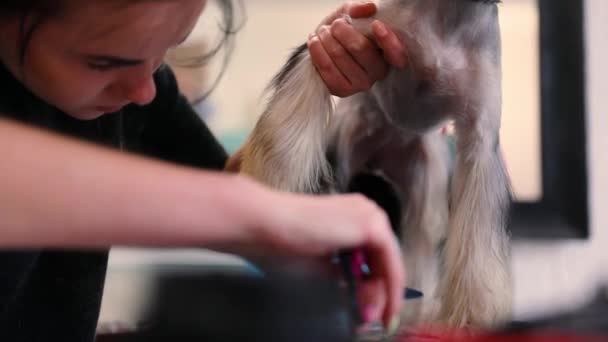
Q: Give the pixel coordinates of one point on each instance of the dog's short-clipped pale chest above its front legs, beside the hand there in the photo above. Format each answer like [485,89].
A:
[453,49]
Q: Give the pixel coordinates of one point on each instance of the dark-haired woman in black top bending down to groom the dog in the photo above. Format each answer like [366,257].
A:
[93,70]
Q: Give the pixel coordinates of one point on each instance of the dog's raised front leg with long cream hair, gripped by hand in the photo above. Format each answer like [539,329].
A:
[286,149]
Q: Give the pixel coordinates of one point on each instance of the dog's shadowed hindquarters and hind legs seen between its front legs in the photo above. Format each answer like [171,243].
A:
[363,141]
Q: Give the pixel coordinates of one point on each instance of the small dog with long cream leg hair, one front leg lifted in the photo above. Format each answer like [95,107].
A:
[453,209]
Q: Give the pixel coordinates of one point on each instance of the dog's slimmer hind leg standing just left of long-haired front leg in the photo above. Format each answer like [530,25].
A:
[426,219]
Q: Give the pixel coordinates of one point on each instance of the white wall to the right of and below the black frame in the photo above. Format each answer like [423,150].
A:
[553,276]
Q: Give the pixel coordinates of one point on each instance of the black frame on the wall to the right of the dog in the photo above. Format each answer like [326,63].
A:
[562,212]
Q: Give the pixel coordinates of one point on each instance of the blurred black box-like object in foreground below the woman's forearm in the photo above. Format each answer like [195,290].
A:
[194,305]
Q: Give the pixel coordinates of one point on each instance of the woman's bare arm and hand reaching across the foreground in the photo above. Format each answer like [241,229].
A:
[58,192]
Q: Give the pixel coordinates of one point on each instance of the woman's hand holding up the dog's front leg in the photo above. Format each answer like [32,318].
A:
[348,61]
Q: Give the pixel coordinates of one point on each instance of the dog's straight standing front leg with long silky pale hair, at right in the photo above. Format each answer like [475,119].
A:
[476,287]
